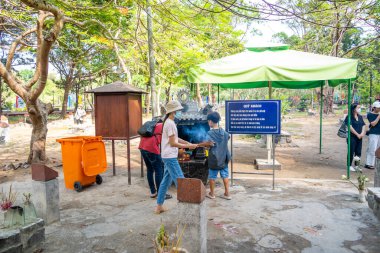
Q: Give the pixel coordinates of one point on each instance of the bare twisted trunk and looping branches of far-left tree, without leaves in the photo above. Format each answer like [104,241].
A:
[31,90]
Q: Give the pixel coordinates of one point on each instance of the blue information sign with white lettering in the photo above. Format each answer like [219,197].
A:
[253,117]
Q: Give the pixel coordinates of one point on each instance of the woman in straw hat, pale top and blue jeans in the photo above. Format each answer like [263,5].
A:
[169,152]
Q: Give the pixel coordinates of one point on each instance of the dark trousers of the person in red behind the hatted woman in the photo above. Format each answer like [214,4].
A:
[155,166]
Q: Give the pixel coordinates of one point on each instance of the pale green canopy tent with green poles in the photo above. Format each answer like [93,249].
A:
[279,67]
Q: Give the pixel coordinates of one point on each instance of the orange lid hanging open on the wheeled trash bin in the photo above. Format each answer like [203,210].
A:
[94,158]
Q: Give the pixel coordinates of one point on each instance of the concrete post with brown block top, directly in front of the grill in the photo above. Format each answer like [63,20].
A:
[192,215]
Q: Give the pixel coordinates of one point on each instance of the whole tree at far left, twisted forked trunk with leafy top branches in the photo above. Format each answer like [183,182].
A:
[37,24]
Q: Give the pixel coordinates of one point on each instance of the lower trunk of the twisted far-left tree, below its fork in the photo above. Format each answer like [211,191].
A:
[38,113]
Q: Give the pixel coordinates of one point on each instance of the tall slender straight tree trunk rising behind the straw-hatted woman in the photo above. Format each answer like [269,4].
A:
[152,80]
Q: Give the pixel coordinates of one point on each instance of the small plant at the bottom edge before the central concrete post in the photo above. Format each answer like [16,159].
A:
[164,244]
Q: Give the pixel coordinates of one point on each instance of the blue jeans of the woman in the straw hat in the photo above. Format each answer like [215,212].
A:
[172,171]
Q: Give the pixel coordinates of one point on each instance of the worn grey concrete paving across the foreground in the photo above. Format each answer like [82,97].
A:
[305,216]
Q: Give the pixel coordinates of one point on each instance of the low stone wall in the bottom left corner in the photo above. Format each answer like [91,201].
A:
[26,239]
